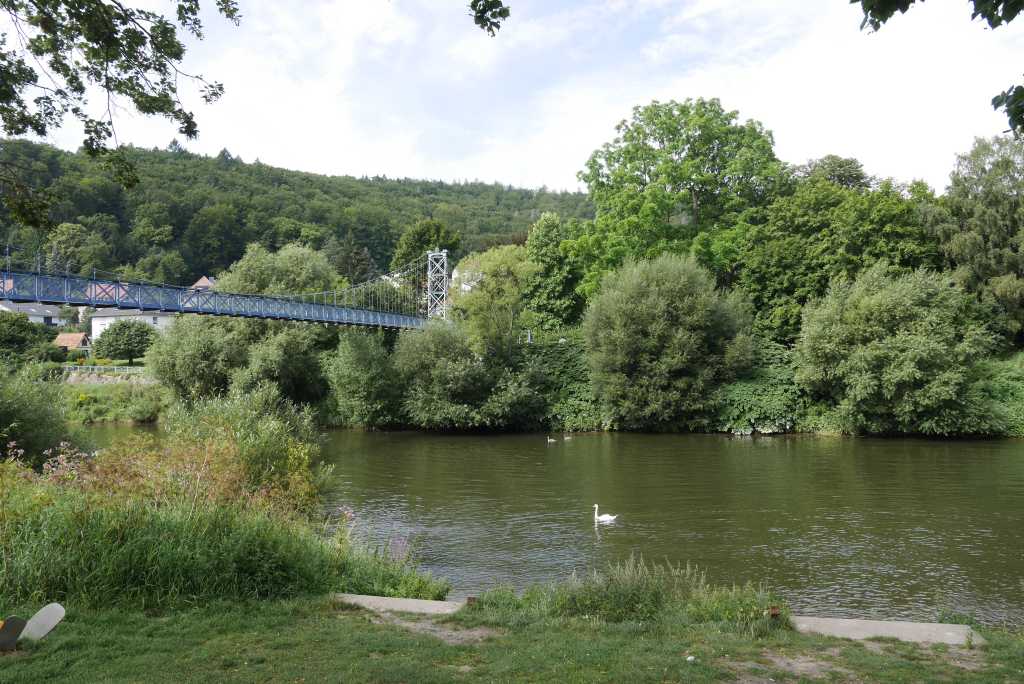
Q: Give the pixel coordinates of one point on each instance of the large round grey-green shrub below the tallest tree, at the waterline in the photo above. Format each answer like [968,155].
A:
[660,340]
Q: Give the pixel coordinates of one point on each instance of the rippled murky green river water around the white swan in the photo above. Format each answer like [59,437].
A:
[885,529]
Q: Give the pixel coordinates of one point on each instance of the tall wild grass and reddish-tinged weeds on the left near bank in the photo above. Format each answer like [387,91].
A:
[223,509]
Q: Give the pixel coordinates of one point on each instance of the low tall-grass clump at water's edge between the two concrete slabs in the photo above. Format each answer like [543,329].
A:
[634,591]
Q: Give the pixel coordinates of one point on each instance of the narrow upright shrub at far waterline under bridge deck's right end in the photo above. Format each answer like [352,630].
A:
[365,387]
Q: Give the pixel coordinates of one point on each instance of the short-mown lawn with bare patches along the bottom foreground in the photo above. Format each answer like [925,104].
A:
[314,639]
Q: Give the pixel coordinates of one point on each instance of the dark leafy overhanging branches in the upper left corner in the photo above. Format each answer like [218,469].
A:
[59,51]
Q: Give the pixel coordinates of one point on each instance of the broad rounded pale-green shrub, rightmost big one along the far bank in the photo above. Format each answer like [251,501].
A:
[899,355]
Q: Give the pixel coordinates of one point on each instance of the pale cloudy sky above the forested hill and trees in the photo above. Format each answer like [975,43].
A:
[412,89]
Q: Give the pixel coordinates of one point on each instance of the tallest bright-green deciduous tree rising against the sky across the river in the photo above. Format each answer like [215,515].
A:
[674,170]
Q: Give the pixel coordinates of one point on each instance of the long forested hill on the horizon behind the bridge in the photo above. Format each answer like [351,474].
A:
[193,216]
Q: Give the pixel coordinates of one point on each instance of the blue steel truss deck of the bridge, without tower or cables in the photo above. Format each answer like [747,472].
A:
[75,290]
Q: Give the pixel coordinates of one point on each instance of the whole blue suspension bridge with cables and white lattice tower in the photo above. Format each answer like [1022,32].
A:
[404,300]
